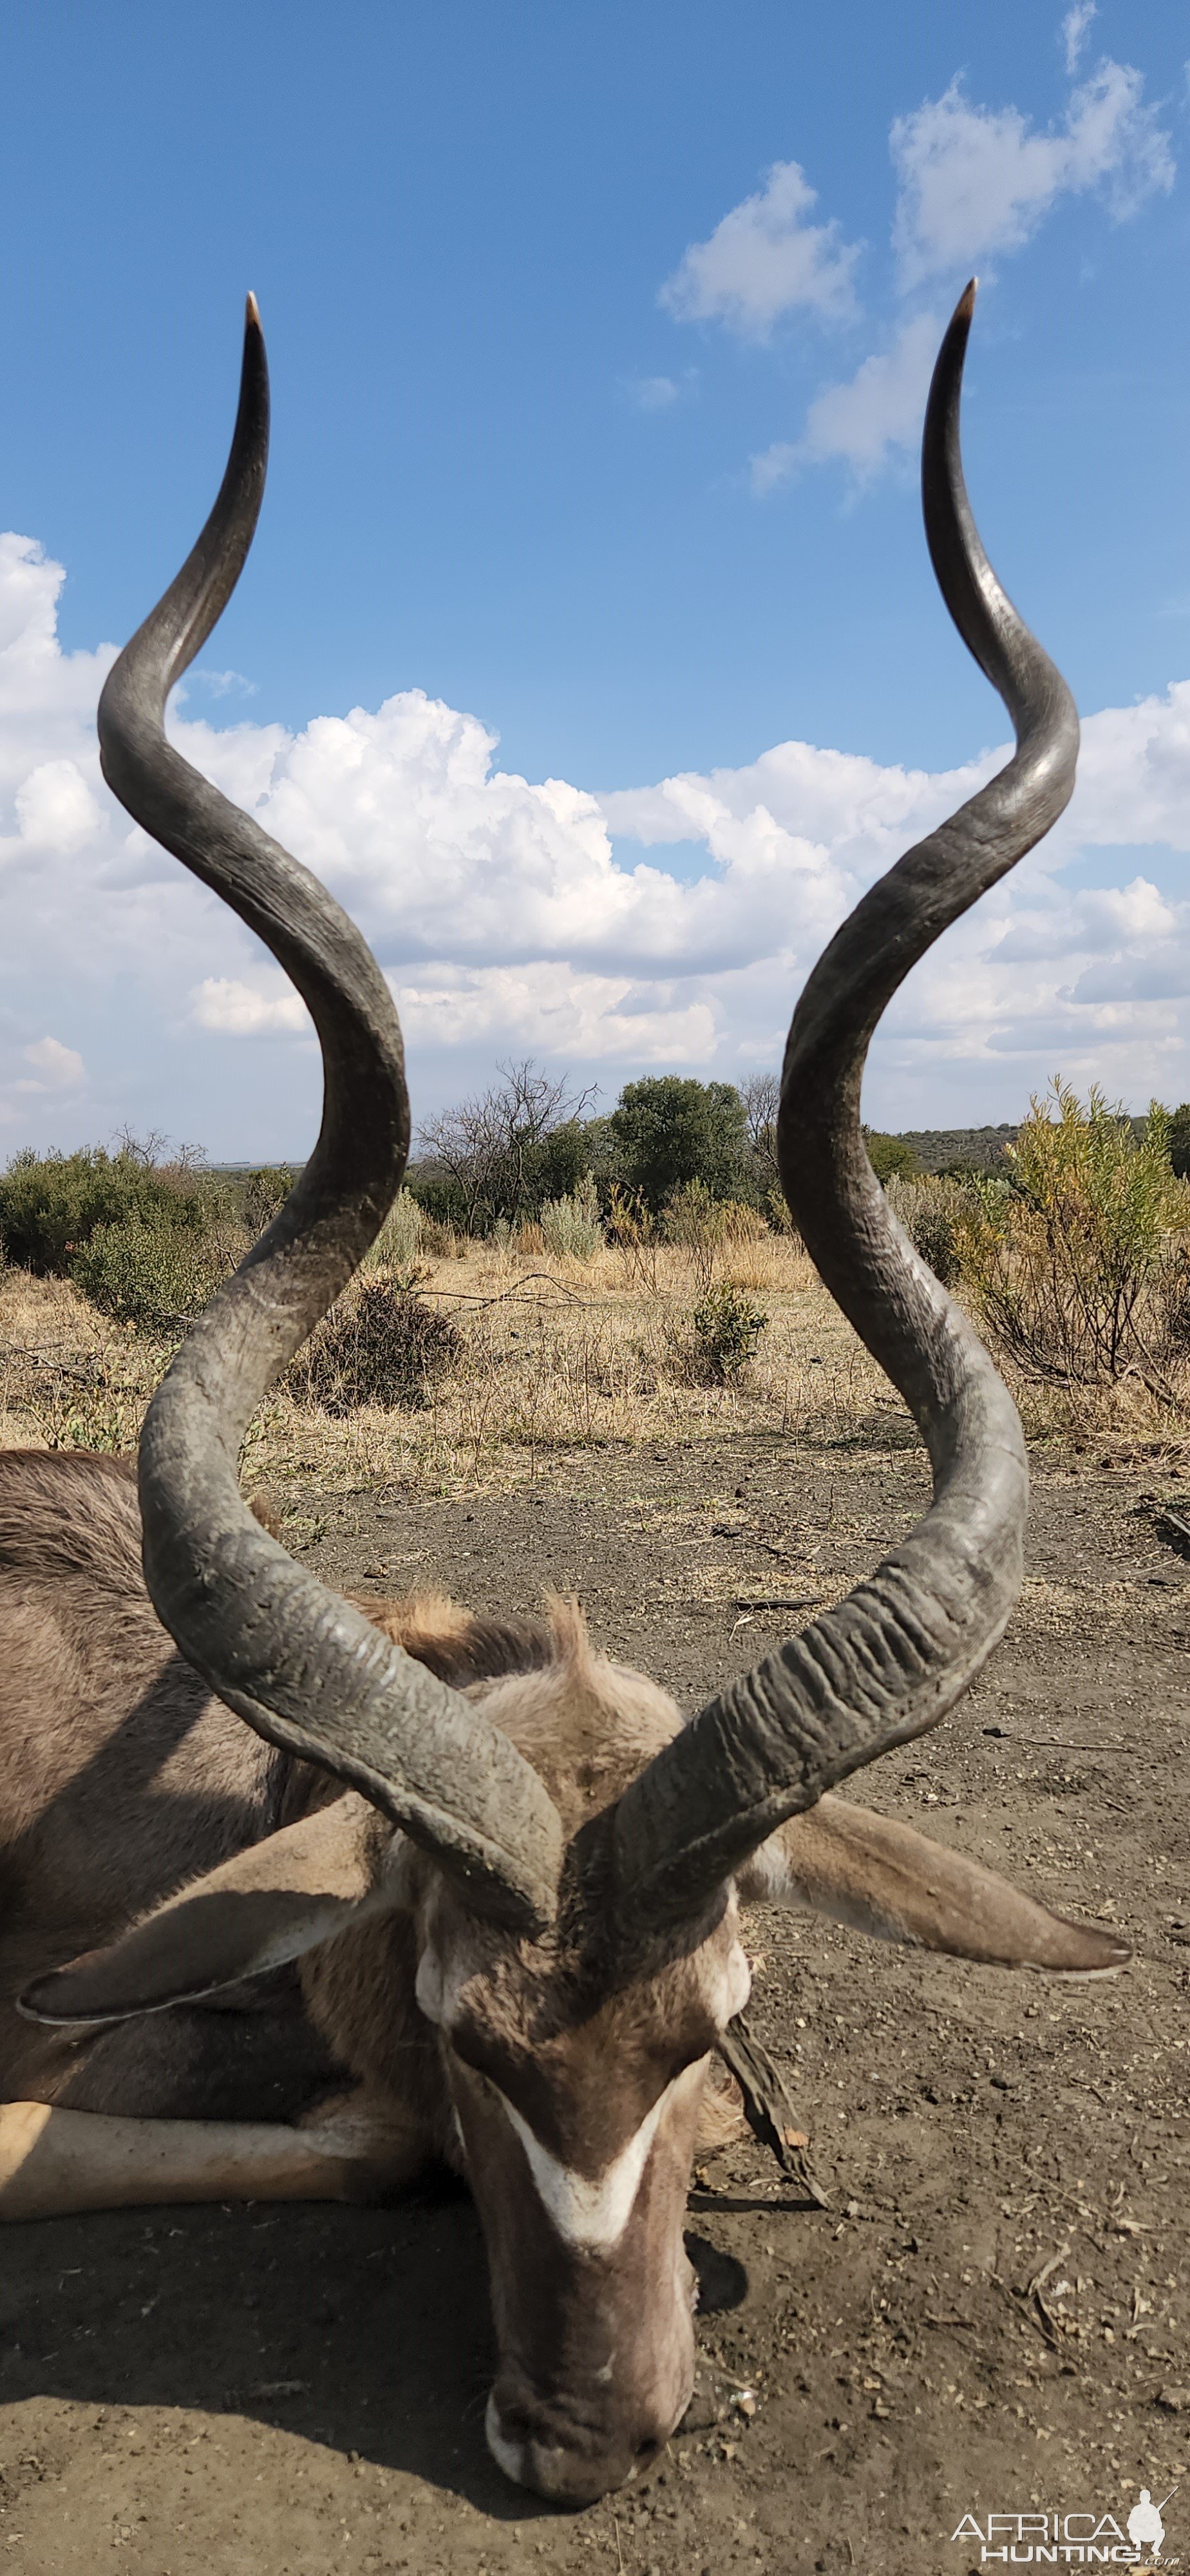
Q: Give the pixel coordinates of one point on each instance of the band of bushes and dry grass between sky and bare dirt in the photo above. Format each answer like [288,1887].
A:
[550,1282]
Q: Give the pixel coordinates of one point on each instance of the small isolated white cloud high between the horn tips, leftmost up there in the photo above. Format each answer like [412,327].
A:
[766,259]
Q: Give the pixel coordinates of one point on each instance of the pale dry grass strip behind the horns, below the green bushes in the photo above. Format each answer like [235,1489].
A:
[558,1356]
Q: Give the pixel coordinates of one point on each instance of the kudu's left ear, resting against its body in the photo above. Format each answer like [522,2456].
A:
[259,1910]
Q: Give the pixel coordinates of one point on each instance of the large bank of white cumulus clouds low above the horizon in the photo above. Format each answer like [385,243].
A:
[540,918]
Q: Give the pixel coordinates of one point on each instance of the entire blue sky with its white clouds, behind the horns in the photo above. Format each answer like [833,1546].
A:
[599,349]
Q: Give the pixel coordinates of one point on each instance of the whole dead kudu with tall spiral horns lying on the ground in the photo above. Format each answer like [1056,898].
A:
[300,1892]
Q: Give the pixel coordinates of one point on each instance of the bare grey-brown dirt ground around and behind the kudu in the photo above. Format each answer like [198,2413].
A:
[990,2317]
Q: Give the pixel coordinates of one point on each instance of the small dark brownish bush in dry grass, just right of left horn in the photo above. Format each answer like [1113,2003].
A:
[380,1343]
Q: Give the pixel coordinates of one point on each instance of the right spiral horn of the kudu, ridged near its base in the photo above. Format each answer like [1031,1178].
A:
[903,1647]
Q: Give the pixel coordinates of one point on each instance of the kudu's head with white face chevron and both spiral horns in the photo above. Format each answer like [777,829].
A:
[576,1918]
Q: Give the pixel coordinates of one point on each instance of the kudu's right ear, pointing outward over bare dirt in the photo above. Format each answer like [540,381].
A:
[895,1884]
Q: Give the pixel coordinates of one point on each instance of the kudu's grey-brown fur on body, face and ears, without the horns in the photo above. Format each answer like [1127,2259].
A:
[421,2023]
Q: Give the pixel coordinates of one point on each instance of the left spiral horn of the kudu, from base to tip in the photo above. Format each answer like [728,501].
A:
[295,1660]
